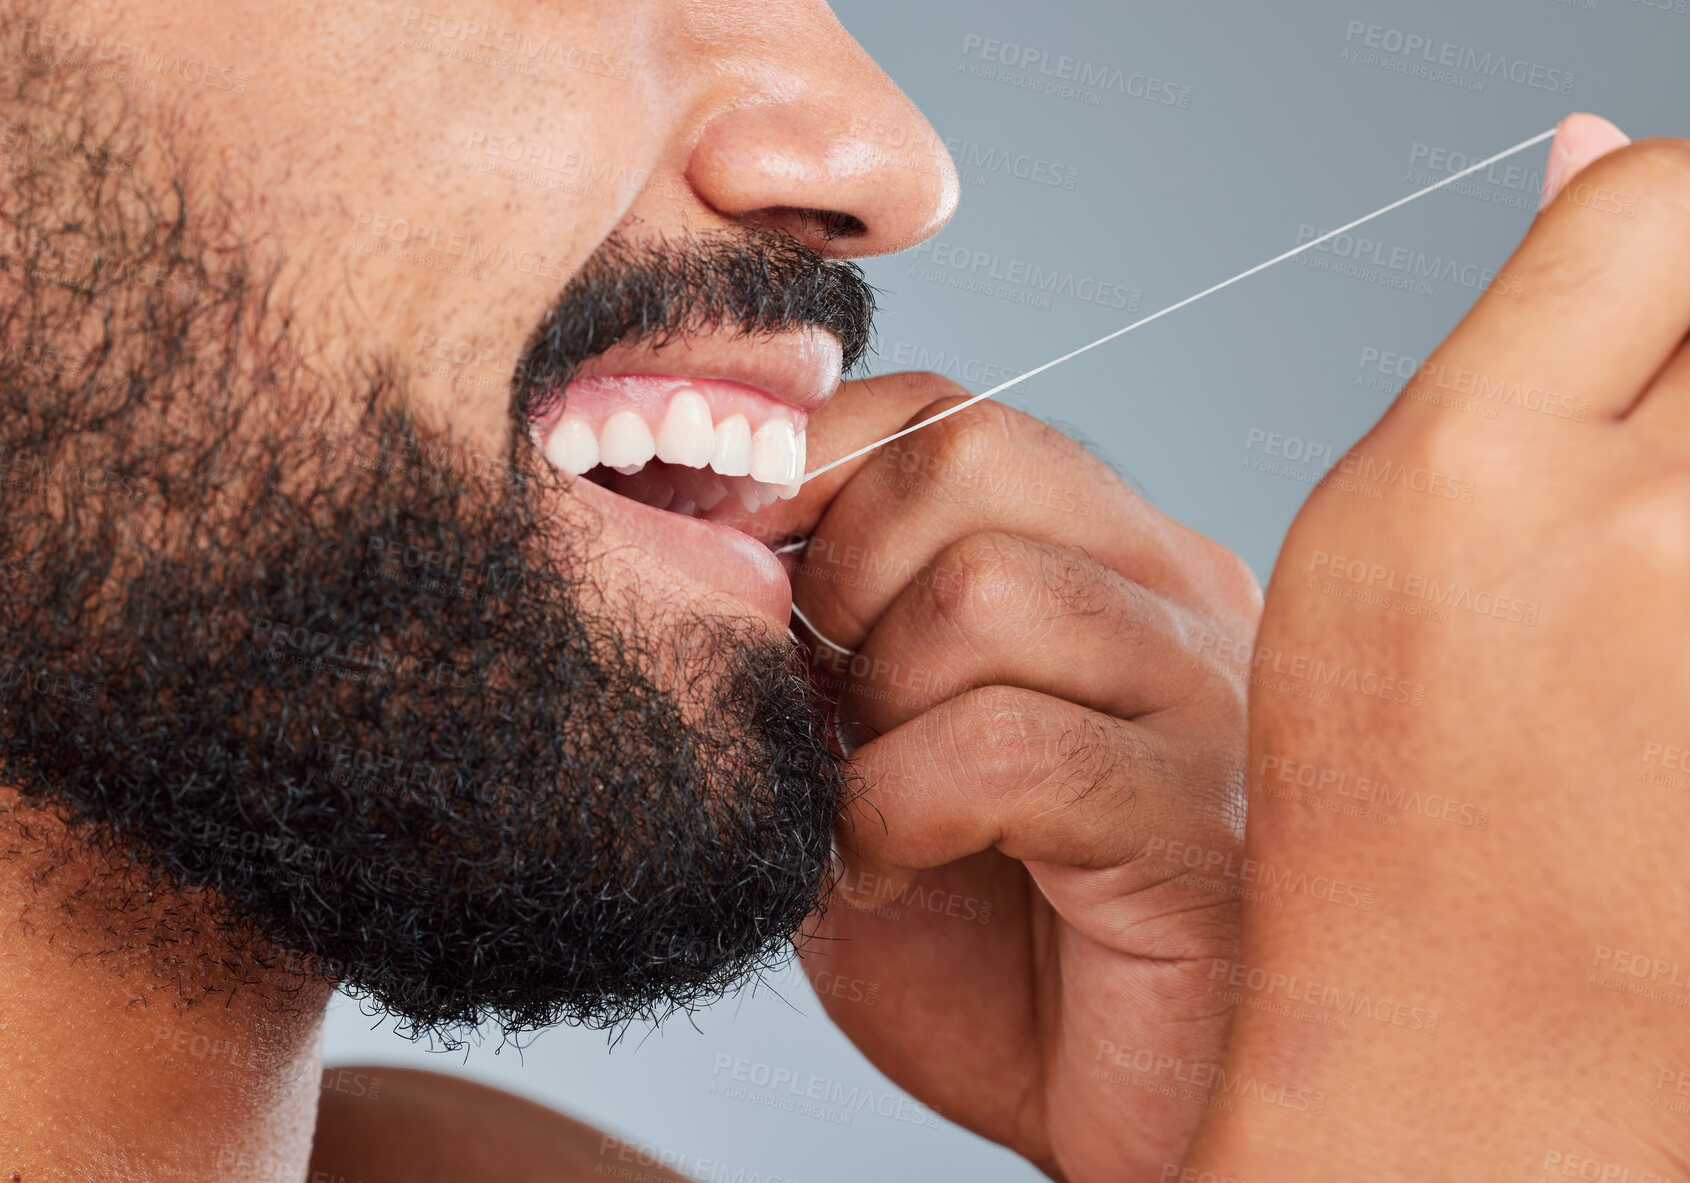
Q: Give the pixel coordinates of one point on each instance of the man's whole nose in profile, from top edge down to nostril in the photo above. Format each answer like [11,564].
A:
[812,138]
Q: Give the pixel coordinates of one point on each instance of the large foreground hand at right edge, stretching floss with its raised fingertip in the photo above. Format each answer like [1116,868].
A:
[1517,812]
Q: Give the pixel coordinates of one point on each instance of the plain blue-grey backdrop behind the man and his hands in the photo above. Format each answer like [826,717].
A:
[1280,131]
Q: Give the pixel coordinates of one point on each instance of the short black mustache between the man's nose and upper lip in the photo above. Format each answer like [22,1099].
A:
[756,281]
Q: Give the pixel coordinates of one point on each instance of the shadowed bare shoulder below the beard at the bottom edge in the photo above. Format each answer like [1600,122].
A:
[405,1126]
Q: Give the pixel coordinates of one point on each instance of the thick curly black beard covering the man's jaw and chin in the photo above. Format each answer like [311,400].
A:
[339,689]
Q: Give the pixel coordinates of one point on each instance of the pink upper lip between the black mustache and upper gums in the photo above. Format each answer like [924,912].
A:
[800,368]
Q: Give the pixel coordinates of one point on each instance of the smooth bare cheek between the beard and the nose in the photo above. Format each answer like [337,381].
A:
[442,217]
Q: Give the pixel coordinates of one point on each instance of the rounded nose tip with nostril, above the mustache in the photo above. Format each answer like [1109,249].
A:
[853,172]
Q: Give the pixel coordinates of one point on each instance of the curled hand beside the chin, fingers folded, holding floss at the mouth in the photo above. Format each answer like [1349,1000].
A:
[1033,687]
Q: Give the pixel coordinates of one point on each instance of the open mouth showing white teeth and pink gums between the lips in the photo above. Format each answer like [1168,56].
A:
[677,444]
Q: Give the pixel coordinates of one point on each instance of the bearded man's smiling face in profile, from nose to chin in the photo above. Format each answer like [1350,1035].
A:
[305,344]
